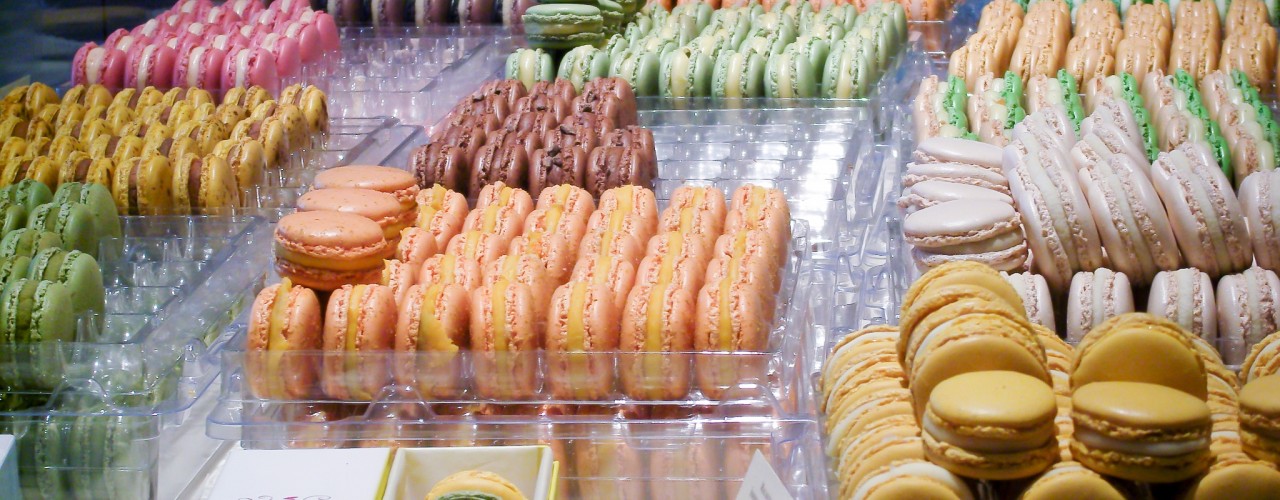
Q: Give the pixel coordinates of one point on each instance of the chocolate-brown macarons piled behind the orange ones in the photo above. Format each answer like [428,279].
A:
[540,136]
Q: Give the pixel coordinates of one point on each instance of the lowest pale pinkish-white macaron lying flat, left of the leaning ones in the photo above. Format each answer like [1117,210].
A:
[977,231]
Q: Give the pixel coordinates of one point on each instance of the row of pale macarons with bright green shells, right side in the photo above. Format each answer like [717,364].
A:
[1156,113]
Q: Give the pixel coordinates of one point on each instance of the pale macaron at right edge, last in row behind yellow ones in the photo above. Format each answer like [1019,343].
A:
[1249,310]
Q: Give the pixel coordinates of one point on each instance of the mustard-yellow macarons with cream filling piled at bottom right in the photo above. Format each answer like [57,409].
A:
[926,389]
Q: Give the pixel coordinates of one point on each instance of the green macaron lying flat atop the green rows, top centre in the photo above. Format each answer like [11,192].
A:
[564,26]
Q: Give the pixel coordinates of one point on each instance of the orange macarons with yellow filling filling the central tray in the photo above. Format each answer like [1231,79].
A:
[621,279]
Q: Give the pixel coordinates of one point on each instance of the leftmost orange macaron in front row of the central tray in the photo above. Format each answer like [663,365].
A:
[284,318]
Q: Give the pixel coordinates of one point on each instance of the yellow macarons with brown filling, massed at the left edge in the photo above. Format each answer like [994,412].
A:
[159,153]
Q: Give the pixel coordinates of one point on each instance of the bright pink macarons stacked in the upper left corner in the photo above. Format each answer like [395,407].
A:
[196,44]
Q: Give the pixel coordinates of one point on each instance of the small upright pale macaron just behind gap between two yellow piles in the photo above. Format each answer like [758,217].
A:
[1094,299]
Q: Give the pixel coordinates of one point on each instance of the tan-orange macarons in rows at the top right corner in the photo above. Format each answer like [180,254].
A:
[1192,39]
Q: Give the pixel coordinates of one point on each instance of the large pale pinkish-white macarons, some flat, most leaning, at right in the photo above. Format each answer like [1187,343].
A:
[1086,204]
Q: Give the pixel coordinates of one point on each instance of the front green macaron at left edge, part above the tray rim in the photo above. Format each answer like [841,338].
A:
[38,311]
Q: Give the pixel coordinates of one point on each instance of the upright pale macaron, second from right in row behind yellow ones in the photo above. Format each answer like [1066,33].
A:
[1186,297]
